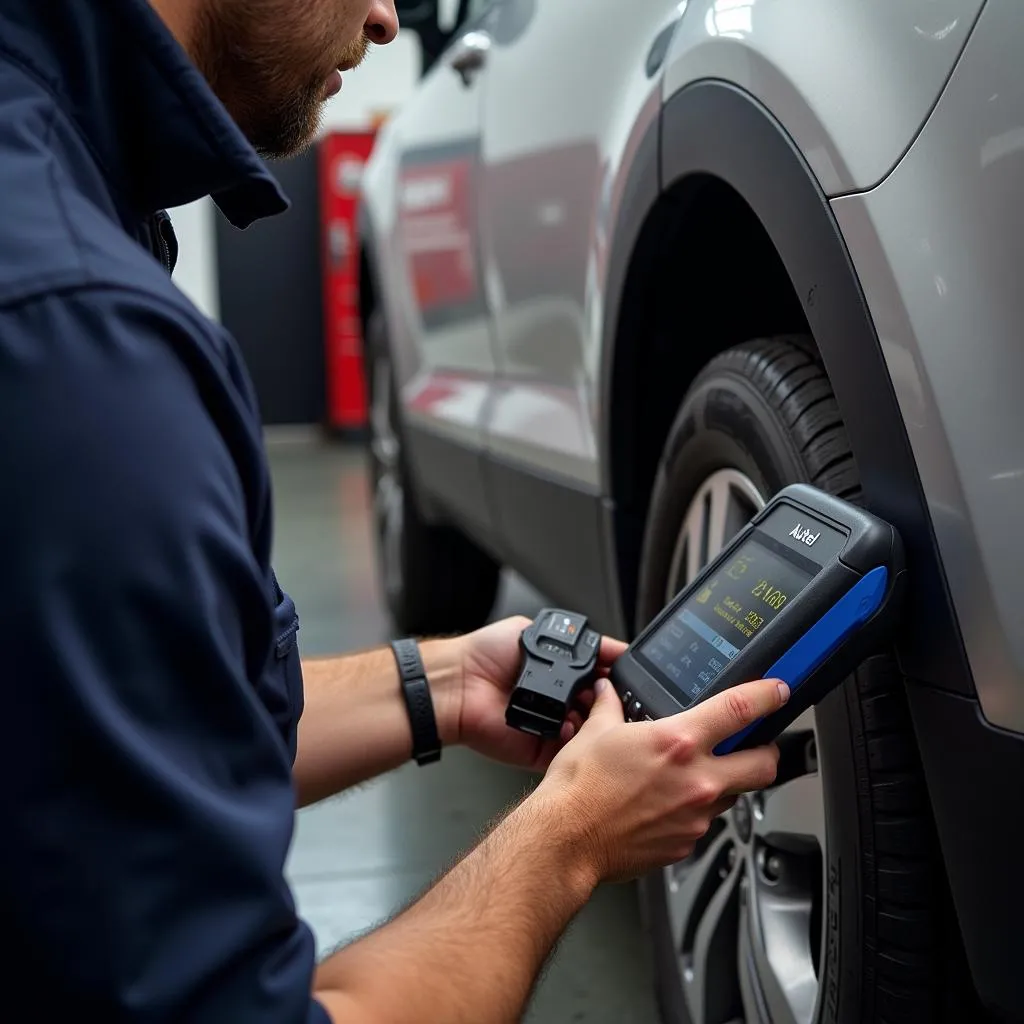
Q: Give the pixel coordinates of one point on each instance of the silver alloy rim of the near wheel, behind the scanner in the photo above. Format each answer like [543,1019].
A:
[746,908]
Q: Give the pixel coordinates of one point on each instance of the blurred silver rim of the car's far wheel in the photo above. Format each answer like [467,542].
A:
[390,495]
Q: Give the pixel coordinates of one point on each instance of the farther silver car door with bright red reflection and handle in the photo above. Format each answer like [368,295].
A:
[438,314]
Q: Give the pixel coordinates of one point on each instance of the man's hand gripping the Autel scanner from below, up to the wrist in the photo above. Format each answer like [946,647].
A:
[631,798]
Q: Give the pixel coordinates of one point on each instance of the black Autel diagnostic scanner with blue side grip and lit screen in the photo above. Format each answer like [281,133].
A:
[804,593]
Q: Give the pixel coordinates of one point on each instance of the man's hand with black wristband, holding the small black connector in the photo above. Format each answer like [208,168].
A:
[491,659]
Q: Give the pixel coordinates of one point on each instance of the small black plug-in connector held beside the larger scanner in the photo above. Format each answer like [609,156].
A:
[560,660]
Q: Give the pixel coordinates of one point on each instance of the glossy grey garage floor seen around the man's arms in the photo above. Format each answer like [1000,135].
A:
[359,859]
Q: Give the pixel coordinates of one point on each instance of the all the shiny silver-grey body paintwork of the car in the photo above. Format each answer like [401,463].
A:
[909,121]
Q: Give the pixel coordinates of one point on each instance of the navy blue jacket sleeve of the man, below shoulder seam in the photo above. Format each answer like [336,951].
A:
[148,803]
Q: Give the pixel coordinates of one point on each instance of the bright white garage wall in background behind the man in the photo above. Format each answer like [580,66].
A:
[377,89]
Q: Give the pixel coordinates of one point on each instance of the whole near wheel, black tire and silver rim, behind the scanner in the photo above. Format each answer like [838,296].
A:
[819,900]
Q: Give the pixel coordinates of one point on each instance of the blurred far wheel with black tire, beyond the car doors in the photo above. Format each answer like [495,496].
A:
[435,580]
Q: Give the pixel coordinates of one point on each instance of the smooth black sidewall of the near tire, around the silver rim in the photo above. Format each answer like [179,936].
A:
[727,424]
